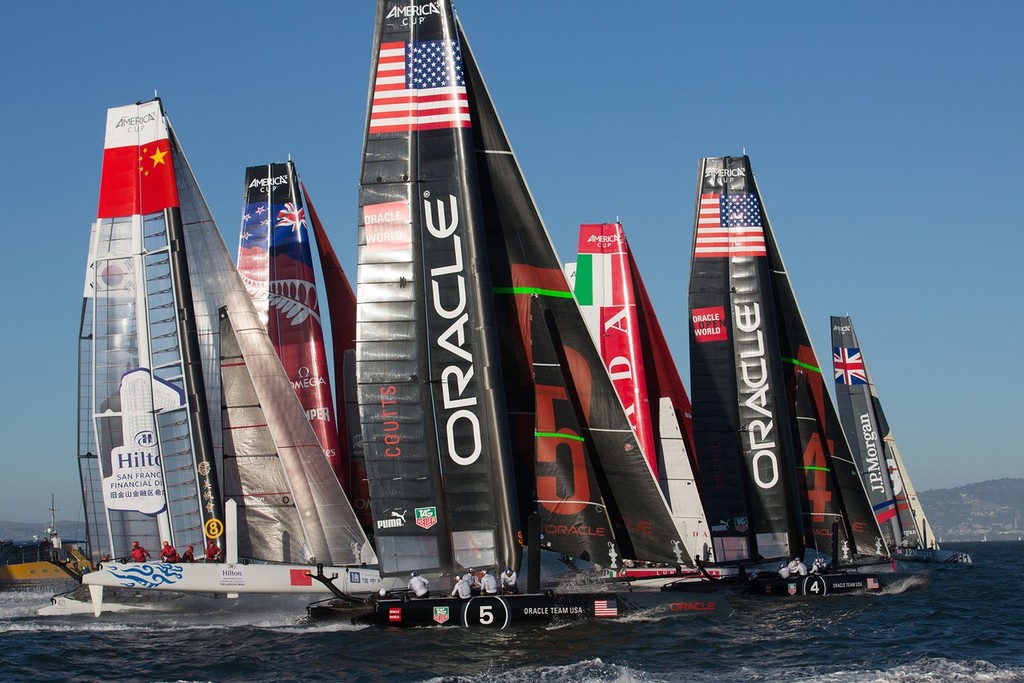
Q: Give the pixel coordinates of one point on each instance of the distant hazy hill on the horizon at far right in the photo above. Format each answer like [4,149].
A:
[992,509]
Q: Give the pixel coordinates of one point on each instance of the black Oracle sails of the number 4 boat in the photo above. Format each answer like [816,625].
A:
[775,464]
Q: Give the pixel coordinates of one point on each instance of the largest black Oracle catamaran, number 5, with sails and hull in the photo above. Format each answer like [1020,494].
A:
[483,398]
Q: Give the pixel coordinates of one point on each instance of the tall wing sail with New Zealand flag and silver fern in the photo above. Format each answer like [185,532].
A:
[274,219]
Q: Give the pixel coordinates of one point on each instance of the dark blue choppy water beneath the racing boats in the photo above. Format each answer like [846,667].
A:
[961,624]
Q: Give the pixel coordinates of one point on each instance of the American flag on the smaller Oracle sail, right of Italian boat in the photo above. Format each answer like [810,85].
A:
[730,226]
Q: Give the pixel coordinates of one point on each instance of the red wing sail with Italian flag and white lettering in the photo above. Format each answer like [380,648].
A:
[605,290]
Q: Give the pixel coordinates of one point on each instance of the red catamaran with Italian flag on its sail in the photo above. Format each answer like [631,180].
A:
[619,313]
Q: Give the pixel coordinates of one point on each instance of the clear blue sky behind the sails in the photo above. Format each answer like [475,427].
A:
[886,140]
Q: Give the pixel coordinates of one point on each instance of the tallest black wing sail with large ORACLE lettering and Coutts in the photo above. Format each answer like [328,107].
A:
[436,437]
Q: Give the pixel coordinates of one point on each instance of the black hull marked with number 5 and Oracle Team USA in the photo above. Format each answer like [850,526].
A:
[527,610]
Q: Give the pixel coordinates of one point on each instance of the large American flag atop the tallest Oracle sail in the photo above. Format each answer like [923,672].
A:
[420,87]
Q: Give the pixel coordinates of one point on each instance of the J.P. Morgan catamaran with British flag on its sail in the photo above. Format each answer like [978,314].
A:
[887,482]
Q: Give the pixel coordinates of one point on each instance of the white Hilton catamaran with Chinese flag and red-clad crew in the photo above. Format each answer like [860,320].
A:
[186,411]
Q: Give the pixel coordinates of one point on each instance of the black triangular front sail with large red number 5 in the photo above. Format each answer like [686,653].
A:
[537,313]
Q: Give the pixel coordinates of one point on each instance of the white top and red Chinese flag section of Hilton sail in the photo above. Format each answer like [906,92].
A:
[139,174]
